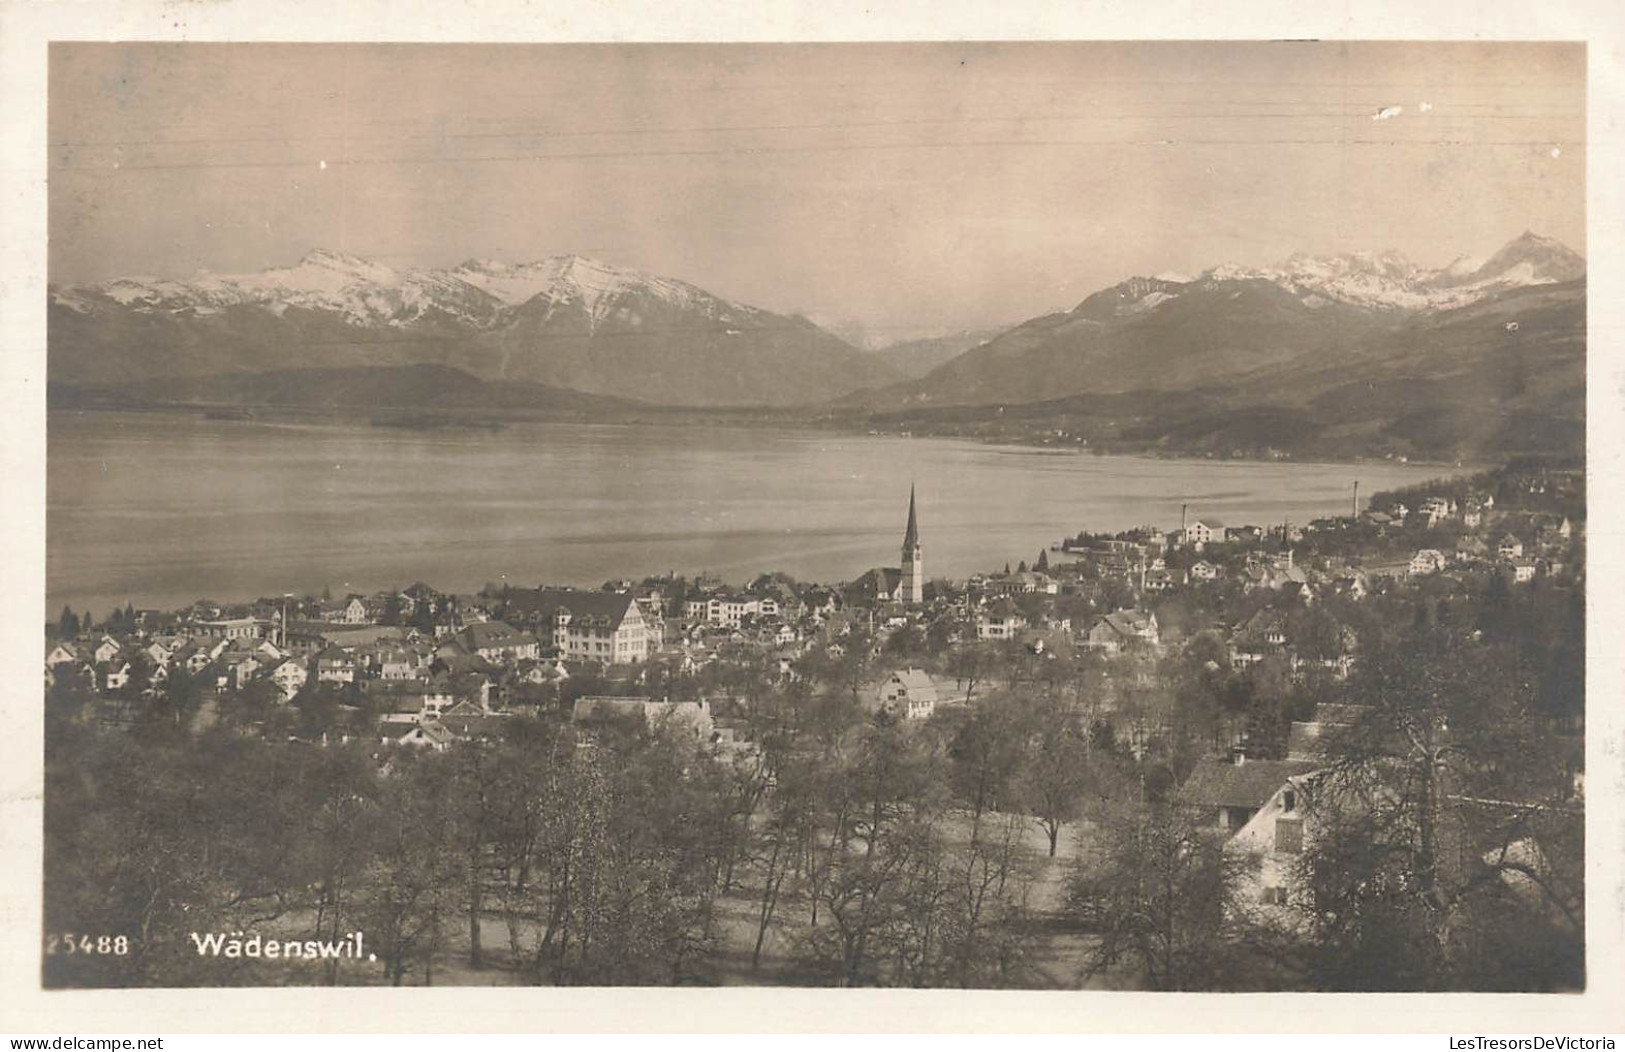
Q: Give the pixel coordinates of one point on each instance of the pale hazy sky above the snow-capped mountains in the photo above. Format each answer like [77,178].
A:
[906,188]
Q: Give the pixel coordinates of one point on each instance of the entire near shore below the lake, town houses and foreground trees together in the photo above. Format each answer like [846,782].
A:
[1049,736]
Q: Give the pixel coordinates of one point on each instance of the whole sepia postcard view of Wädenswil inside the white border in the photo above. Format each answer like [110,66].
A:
[987,516]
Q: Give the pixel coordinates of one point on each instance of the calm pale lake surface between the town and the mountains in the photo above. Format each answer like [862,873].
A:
[162,510]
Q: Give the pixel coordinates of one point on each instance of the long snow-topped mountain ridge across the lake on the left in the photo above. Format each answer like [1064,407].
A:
[565,321]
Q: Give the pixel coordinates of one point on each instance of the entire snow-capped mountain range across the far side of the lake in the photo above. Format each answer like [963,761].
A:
[1314,355]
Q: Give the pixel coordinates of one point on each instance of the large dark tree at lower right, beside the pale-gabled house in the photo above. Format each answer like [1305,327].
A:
[1445,827]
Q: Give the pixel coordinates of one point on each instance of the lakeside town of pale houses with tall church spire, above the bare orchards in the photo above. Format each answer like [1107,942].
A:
[1254,593]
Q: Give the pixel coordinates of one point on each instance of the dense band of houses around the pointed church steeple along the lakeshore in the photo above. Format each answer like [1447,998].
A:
[418,656]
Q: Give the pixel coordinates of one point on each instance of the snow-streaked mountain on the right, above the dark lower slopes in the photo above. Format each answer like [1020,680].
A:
[1234,324]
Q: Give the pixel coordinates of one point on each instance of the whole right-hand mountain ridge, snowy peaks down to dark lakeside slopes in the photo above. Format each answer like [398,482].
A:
[1337,357]
